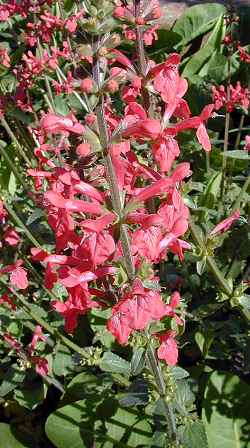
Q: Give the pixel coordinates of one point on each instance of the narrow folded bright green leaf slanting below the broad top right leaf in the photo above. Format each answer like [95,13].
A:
[196,62]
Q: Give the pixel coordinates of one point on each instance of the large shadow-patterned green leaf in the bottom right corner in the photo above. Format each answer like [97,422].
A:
[226,411]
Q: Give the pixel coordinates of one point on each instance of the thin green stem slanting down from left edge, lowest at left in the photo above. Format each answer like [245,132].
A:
[52,331]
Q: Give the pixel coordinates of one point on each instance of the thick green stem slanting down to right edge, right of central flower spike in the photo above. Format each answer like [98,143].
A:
[210,260]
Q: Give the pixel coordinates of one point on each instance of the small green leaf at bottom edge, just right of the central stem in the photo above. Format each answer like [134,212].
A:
[194,436]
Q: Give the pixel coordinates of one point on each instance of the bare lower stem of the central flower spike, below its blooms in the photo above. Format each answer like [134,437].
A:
[156,370]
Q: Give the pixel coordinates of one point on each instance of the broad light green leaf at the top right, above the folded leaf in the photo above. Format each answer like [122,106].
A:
[197,20]
